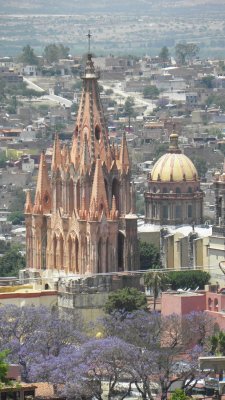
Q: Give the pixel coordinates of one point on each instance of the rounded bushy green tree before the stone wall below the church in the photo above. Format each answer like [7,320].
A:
[126,299]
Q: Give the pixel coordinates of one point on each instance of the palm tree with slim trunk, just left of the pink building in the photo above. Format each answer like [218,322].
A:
[156,281]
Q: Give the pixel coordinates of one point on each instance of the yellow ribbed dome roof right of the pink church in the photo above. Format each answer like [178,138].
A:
[174,167]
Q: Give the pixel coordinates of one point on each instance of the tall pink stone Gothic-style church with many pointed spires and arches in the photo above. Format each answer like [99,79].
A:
[83,216]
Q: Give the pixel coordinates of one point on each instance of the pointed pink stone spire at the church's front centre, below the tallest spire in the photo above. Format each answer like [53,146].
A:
[98,202]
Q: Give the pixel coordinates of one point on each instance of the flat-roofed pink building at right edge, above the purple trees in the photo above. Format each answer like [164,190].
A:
[183,303]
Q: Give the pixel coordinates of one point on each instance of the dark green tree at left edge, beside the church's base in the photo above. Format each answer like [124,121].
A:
[11,262]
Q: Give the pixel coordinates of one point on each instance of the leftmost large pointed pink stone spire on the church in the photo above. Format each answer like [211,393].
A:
[42,197]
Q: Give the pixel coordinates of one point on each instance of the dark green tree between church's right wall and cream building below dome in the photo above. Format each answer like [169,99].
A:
[149,256]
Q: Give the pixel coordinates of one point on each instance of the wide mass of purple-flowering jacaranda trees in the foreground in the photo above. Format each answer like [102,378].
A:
[145,347]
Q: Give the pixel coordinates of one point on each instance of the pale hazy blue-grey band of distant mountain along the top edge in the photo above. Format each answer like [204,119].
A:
[129,6]
